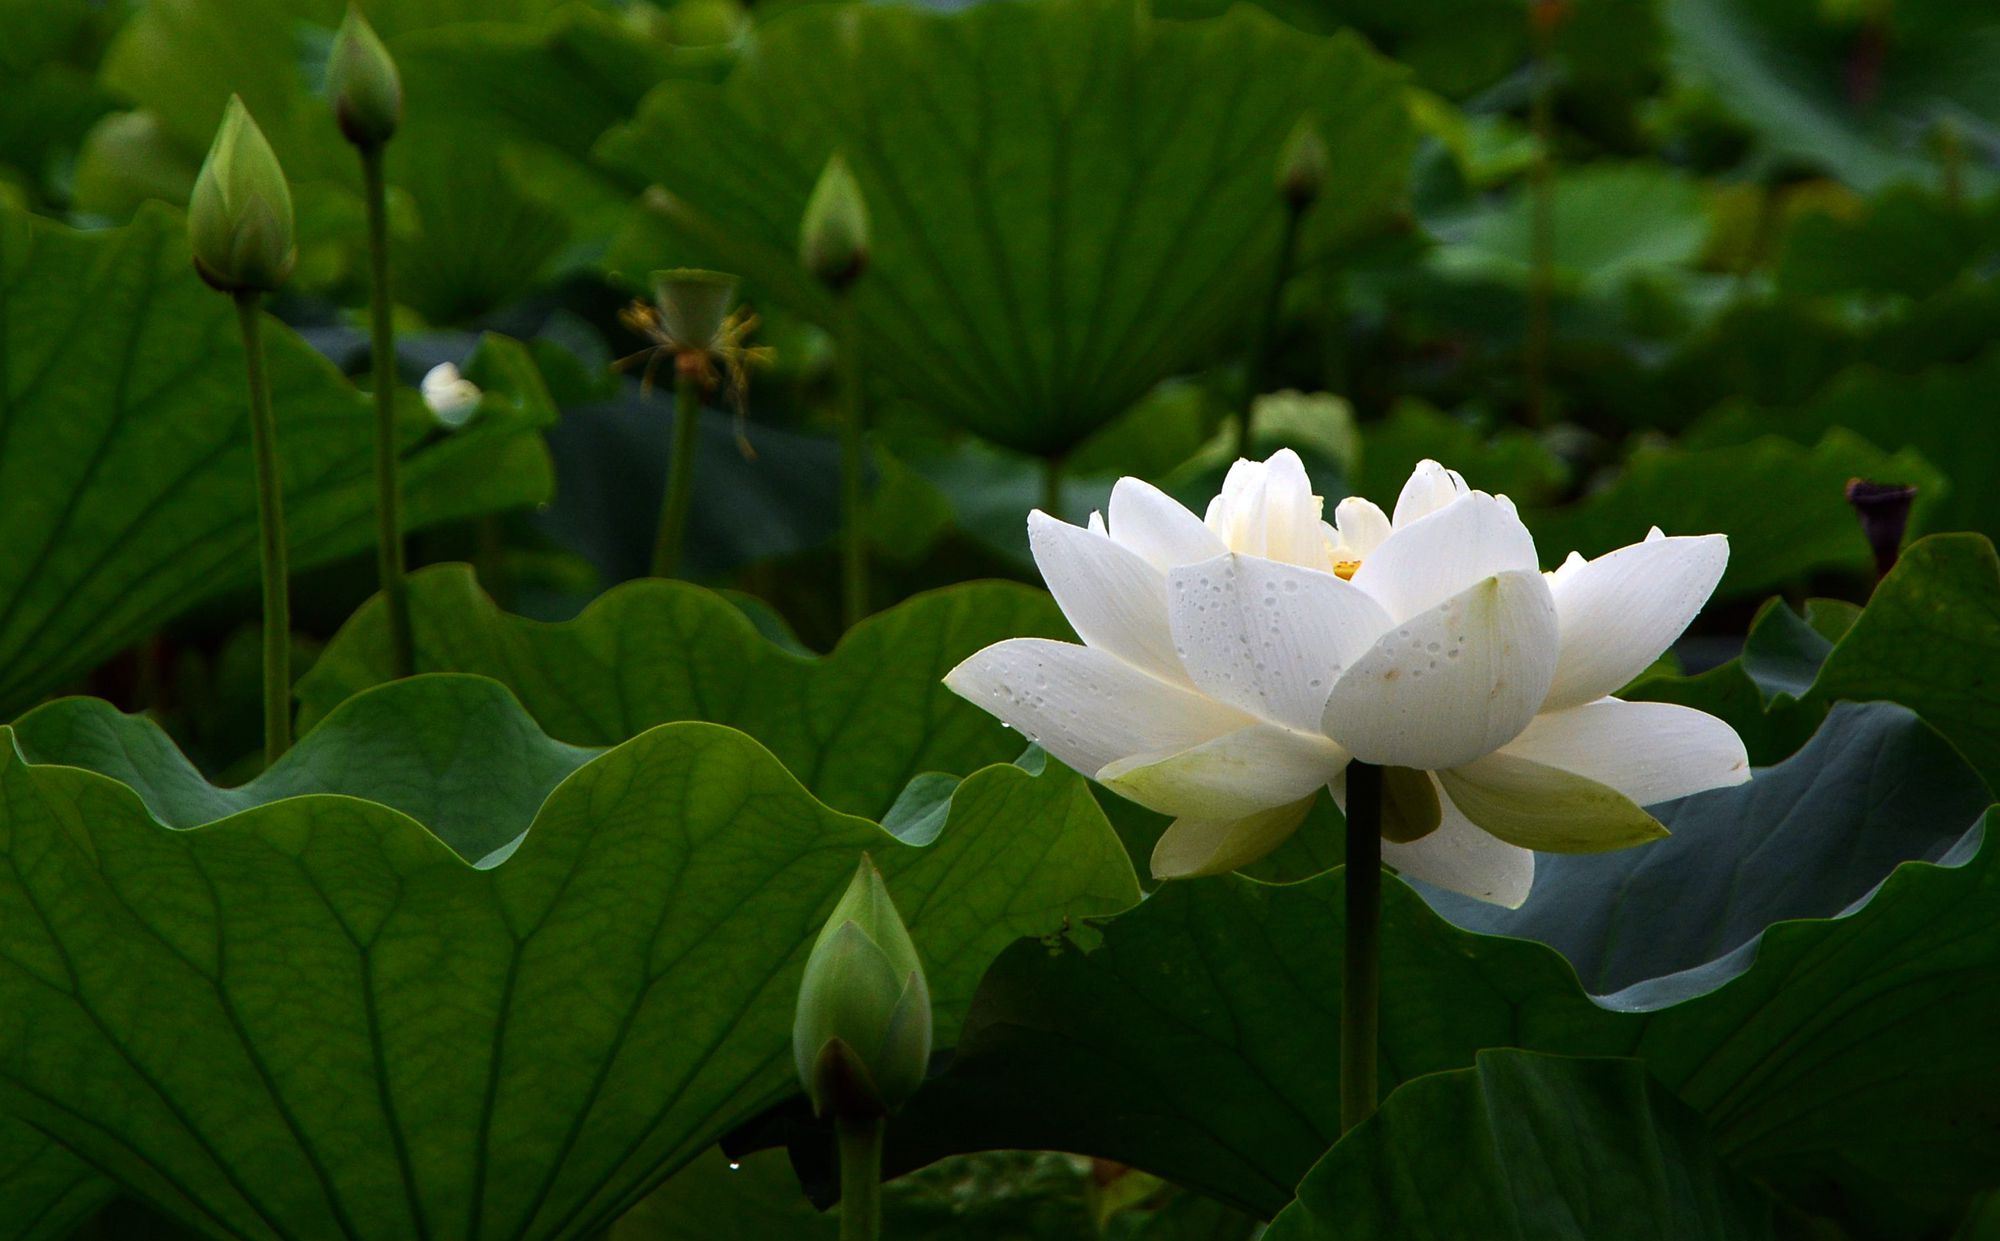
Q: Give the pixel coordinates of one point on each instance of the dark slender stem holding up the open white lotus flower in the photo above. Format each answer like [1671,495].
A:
[1361,978]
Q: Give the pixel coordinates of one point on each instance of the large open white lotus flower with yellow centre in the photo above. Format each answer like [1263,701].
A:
[1235,666]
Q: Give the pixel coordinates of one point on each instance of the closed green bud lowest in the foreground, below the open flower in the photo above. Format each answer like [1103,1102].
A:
[861,1038]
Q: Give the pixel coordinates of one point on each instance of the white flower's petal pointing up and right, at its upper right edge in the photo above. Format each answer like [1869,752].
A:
[1623,609]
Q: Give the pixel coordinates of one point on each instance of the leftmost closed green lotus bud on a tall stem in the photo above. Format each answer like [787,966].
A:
[241,211]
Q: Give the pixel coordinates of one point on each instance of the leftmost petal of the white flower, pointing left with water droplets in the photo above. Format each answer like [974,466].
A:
[1087,708]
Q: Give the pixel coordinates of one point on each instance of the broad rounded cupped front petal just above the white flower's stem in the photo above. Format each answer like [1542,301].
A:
[1453,684]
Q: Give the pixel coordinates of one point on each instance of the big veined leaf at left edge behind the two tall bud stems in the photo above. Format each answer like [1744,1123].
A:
[125,449]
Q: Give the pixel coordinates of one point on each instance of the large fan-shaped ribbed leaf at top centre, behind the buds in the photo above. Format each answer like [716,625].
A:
[1069,201]
